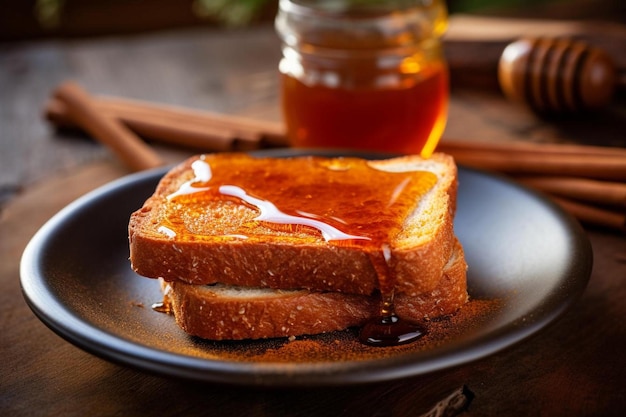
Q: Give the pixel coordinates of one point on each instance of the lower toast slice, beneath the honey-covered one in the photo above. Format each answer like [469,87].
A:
[223,312]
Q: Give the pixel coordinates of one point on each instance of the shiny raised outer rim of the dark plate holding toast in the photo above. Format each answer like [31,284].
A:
[98,342]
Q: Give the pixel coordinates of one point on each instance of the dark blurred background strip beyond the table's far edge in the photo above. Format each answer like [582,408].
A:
[27,19]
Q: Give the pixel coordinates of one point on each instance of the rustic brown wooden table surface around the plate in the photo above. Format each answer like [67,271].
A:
[575,367]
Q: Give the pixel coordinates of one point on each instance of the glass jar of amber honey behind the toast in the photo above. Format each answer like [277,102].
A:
[364,74]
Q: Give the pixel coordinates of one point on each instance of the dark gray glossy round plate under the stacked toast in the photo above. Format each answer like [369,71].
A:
[522,251]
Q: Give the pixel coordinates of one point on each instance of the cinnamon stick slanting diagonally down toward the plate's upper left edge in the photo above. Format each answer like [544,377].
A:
[124,143]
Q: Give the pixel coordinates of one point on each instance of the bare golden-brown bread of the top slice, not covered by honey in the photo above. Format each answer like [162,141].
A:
[287,259]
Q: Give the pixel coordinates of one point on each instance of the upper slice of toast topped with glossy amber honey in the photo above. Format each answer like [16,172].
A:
[202,242]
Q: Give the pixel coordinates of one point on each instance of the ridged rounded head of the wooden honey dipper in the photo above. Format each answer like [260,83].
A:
[557,75]
